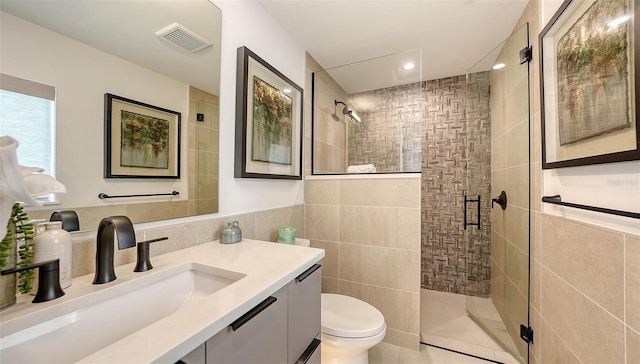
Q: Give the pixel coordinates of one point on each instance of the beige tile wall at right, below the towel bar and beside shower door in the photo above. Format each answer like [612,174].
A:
[585,280]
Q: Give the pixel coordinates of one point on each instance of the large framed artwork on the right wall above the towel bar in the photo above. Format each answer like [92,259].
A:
[588,84]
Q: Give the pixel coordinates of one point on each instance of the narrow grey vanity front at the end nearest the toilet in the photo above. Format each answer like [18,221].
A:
[304,311]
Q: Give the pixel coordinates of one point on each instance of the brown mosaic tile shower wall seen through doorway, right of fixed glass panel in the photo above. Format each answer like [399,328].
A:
[447,261]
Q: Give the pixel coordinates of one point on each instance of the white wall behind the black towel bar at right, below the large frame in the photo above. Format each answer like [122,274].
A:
[613,185]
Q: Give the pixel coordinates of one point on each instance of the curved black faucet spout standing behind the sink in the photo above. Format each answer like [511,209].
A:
[121,228]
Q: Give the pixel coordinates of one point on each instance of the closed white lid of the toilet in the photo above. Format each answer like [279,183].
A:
[345,316]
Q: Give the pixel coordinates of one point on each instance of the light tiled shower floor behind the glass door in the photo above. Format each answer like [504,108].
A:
[444,322]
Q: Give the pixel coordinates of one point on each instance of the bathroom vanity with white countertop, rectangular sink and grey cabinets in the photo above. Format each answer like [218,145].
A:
[212,303]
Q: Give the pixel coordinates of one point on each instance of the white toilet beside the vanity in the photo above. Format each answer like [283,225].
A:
[350,327]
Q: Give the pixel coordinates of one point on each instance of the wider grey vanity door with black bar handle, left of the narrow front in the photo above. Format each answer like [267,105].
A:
[260,336]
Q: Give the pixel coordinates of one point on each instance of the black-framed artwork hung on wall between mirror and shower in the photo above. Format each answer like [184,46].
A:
[268,121]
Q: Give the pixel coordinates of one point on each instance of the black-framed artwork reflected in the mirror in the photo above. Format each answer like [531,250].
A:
[141,140]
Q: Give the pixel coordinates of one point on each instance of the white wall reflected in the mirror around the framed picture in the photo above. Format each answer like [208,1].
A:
[81,76]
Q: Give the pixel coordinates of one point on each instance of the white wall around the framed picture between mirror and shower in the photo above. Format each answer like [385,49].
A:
[247,23]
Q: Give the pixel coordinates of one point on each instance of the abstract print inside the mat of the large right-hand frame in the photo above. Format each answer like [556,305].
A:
[593,74]
